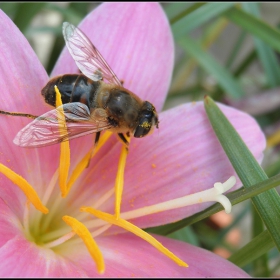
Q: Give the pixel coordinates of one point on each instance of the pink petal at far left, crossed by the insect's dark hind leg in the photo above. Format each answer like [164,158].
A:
[22,77]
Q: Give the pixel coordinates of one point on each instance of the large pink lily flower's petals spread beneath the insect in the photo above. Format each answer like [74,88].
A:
[181,158]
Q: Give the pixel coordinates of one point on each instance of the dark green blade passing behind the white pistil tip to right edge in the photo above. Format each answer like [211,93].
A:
[234,197]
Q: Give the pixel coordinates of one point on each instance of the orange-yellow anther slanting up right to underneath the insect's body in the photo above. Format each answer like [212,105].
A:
[83,163]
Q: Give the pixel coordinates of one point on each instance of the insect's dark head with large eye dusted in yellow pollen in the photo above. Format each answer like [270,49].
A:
[148,118]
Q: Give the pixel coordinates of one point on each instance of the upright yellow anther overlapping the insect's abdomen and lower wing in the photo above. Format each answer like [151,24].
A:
[64,162]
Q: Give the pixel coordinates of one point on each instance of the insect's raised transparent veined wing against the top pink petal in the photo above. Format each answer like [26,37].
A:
[87,57]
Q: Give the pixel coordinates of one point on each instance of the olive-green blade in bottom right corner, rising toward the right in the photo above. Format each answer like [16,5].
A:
[253,250]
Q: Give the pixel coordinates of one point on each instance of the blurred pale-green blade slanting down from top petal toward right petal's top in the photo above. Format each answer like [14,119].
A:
[224,78]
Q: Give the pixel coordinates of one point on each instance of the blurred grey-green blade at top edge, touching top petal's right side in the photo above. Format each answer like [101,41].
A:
[198,17]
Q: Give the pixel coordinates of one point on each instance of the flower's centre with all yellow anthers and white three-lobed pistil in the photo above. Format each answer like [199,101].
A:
[49,231]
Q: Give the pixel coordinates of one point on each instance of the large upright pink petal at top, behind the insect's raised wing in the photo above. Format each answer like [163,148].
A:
[136,41]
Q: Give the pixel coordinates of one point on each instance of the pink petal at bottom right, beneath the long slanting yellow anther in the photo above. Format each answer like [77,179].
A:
[126,255]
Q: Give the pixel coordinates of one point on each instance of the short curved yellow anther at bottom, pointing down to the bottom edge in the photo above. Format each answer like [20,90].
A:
[91,245]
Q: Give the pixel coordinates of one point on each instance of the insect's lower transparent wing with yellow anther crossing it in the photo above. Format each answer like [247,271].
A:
[51,128]
